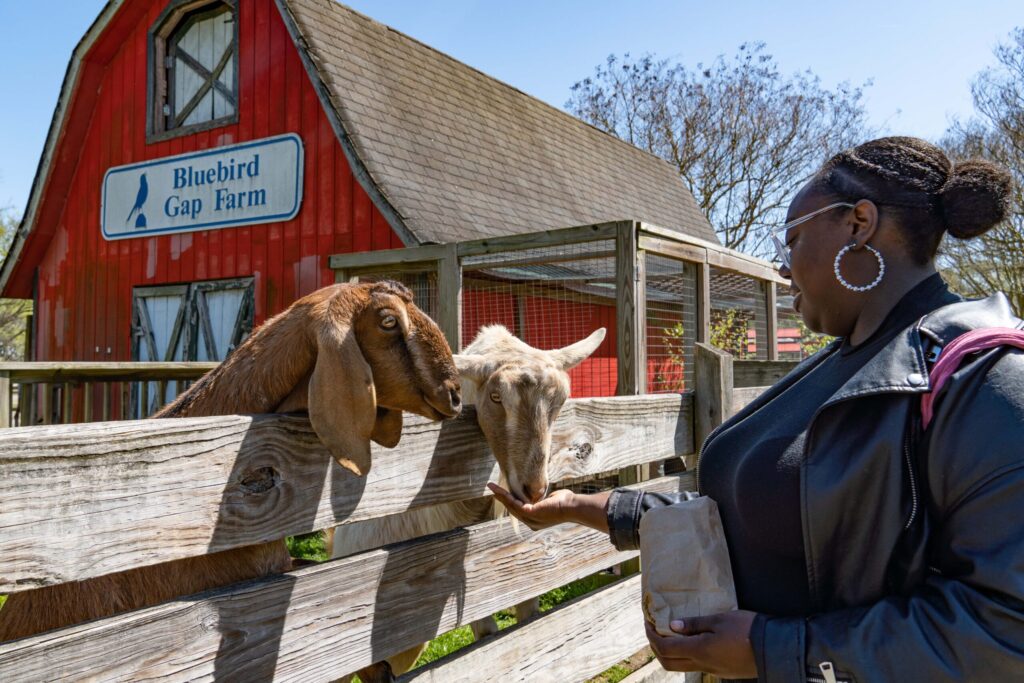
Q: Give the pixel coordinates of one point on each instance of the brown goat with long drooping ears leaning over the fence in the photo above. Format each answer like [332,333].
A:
[356,357]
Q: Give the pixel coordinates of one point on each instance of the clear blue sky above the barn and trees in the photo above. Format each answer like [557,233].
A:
[920,56]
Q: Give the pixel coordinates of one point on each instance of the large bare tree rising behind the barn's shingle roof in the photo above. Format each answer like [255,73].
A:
[743,137]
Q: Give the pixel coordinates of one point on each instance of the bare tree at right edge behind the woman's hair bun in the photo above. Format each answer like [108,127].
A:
[994,262]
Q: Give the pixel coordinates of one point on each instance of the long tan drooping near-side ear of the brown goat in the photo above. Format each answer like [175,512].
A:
[343,401]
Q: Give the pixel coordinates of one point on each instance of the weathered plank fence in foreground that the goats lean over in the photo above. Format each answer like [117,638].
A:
[81,501]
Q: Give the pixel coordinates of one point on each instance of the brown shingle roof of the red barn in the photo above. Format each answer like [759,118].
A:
[458,155]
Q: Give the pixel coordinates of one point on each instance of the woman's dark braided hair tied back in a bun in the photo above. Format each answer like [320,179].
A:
[927,193]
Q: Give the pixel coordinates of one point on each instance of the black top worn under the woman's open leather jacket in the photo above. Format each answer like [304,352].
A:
[752,468]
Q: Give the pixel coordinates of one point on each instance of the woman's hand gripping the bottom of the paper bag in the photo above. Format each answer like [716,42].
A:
[717,645]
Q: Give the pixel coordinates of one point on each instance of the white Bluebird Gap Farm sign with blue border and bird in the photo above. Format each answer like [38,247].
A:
[241,185]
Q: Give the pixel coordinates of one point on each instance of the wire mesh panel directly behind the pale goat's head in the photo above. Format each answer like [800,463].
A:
[549,297]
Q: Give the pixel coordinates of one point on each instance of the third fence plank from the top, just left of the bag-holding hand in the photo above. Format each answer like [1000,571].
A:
[574,643]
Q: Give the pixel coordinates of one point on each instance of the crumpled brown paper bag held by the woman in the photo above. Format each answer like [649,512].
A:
[685,564]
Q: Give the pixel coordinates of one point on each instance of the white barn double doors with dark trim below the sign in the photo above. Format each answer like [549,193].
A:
[198,322]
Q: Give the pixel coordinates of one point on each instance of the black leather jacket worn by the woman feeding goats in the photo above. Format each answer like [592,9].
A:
[915,542]
